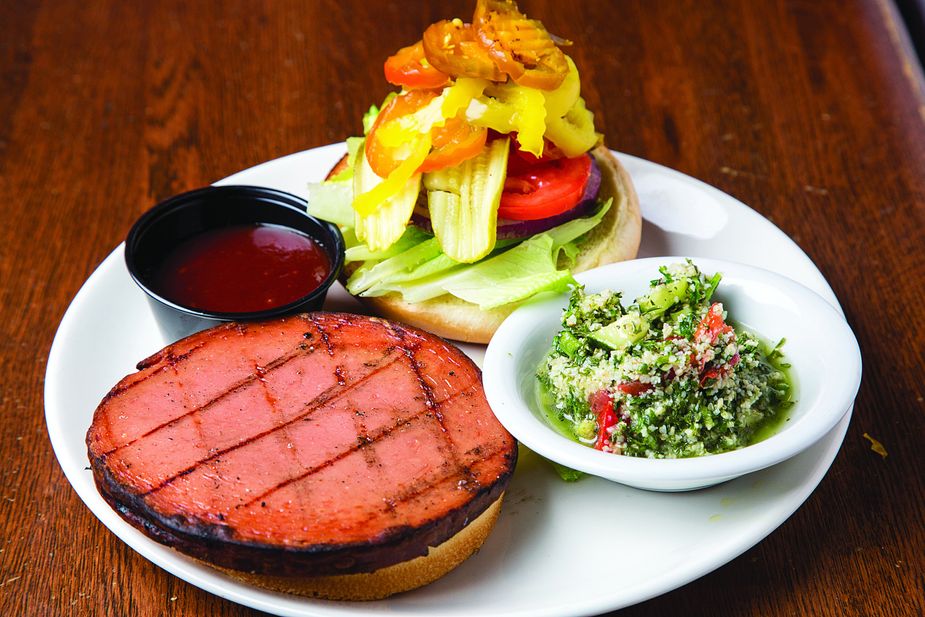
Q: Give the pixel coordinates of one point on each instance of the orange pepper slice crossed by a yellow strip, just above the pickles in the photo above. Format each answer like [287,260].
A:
[452,143]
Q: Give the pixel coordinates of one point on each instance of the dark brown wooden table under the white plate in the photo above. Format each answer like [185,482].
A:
[813,113]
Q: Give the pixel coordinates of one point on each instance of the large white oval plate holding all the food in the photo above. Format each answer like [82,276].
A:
[549,532]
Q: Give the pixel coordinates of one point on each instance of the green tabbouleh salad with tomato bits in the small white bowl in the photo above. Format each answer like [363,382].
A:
[666,377]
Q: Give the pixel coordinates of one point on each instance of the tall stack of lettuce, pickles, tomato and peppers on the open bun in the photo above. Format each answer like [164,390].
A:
[475,179]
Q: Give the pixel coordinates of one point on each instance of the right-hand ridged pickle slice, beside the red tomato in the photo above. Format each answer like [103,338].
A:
[463,203]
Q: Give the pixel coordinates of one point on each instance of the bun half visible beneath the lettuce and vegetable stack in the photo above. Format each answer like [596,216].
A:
[615,239]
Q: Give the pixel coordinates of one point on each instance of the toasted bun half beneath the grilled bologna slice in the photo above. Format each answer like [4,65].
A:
[388,581]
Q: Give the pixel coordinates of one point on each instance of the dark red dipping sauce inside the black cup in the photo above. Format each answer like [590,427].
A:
[242,269]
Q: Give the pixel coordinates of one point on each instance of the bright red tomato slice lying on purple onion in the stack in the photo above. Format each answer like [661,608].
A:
[543,189]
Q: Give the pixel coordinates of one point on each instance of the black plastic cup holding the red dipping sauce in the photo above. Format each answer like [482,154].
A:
[180,217]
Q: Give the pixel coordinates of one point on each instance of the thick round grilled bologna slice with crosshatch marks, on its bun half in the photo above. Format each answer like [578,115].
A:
[320,445]
